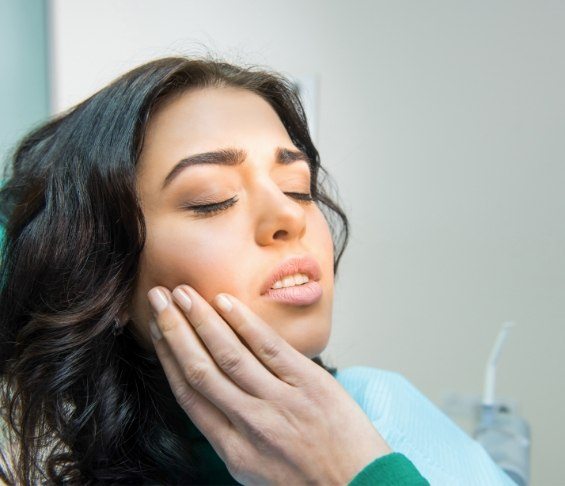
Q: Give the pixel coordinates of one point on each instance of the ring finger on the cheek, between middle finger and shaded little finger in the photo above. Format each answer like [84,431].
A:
[196,365]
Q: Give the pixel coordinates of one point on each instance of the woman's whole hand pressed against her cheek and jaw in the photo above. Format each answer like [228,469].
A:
[272,415]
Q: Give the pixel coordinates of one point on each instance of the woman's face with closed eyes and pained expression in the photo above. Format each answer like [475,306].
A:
[236,249]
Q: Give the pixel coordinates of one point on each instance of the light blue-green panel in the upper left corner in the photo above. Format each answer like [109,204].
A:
[24,90]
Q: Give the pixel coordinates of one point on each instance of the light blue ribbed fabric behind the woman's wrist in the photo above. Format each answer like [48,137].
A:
[412,425]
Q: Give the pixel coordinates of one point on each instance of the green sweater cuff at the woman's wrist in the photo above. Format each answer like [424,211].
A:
[393,469]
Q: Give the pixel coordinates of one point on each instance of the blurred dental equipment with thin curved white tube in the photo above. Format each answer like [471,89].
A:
[501,431]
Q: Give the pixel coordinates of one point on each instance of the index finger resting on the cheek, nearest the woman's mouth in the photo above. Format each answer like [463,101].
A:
[277,354]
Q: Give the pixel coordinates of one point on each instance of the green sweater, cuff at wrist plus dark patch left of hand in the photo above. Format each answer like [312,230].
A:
[391,470]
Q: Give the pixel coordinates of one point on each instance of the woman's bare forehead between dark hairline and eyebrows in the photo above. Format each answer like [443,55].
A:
[205,120]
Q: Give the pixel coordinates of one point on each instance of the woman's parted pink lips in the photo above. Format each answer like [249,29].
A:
[305,294]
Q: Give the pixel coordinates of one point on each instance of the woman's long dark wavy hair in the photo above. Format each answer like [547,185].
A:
[80,402]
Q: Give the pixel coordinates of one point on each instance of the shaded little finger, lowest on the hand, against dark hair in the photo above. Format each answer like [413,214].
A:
[207,418]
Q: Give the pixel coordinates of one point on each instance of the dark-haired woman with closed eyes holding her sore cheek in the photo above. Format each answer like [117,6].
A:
[167,289]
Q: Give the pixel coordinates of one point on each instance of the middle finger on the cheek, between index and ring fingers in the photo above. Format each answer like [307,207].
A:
[227,350]
